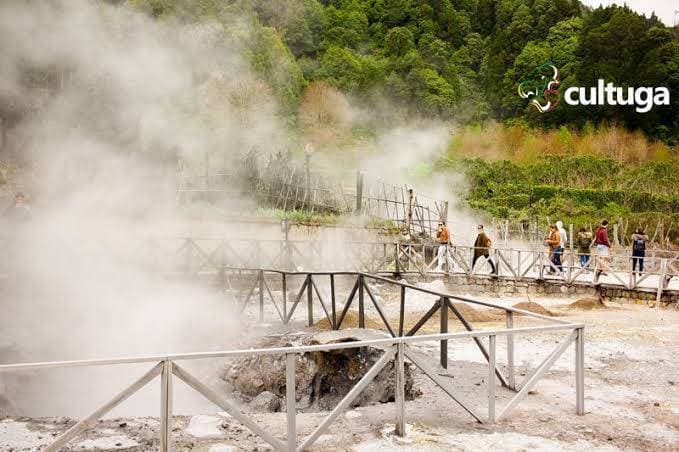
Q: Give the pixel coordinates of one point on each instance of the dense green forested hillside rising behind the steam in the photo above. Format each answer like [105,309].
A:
[457,59]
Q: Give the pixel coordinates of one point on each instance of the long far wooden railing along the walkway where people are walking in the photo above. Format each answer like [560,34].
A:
[193,255]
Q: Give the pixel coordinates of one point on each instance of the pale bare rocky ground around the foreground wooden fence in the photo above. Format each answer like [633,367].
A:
[632,398]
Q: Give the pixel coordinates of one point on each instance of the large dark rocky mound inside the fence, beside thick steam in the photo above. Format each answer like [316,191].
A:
[322,378]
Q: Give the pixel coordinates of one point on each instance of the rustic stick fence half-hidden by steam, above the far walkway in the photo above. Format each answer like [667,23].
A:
[283,185]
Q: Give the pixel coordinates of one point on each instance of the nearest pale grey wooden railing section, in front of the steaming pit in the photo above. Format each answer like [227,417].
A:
[398,348]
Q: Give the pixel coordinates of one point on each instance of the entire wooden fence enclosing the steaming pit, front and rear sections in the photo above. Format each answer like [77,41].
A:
[401,346]
